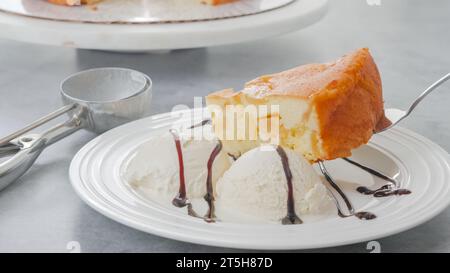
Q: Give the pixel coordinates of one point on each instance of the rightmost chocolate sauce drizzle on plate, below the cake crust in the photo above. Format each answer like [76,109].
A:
[384,191]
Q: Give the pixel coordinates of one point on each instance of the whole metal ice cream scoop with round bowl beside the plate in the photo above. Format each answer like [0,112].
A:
[96,100]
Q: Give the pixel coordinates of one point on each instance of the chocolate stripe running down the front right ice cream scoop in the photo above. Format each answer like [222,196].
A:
[291,218]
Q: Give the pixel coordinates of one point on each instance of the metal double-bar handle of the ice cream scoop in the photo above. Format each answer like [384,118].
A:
[29,147]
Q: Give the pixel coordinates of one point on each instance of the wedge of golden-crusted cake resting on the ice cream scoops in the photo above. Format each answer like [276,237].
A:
[322,111]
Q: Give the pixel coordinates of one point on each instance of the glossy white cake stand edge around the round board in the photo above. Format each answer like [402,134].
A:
[163,36]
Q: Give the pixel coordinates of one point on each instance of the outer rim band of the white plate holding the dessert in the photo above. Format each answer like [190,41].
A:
[74,170]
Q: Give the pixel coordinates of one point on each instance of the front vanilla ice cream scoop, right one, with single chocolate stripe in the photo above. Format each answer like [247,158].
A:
[256,186]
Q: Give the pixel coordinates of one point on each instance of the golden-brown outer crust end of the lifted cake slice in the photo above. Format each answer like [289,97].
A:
[350,106]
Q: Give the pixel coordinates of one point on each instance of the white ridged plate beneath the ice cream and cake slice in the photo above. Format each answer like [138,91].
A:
[418,164]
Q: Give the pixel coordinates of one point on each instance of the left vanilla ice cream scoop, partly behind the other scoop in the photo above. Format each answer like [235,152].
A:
[154,167]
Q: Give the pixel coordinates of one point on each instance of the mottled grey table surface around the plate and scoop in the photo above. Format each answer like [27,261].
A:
[41,212]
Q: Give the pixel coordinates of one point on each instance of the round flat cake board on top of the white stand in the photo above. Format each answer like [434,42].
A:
[139,11]
